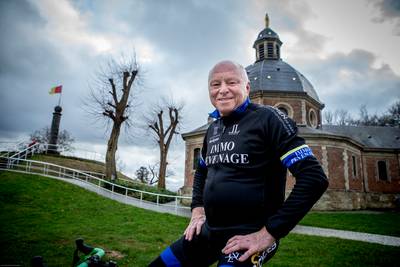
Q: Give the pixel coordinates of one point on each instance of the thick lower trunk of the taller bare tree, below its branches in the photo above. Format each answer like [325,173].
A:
[112,146]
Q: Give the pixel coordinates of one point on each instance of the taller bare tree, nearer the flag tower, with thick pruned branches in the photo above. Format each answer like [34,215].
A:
[110,102]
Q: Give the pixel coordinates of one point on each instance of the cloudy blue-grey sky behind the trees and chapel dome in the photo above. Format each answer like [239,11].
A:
[349,50]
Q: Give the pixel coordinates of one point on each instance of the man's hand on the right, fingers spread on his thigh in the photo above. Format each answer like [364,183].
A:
[250,244]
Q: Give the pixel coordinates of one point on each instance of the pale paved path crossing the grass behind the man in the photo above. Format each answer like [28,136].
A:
[185,212]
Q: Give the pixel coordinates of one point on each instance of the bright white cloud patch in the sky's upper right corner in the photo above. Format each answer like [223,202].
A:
[348,25]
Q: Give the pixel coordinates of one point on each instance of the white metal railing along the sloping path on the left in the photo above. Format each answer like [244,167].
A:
[130,194]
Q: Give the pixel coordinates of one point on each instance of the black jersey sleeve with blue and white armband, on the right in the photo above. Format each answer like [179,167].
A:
[295,155]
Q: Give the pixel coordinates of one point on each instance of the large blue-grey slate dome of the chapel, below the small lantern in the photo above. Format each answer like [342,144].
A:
[279,76]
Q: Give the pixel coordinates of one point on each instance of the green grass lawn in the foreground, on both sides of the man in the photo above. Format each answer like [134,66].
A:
[43,216]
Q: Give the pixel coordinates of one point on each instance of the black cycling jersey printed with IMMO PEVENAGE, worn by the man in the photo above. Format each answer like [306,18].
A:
[241,177]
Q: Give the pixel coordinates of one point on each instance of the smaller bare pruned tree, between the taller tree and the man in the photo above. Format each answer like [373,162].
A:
[163,129]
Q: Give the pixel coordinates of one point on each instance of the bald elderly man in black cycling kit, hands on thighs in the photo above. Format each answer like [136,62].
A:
[238,208]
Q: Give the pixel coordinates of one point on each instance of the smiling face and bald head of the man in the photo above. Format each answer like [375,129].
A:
[227,88]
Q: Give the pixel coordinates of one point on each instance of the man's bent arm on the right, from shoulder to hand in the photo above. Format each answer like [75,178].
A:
[311,183]
